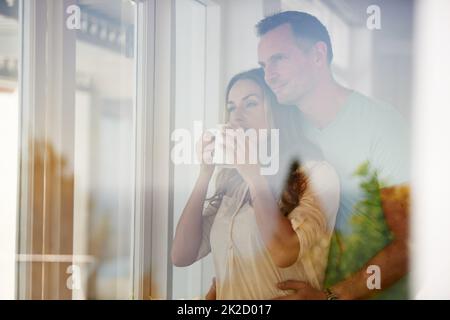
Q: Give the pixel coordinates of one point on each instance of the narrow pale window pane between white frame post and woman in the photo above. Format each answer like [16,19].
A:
[189,107]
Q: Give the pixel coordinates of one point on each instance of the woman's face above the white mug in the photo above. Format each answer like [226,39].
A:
[246,106]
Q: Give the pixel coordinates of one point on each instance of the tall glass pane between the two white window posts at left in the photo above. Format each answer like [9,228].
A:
[104,158]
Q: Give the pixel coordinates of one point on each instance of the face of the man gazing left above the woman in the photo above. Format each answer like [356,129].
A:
[289,68]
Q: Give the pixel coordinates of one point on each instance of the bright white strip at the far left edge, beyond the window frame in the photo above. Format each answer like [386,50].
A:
[9,139]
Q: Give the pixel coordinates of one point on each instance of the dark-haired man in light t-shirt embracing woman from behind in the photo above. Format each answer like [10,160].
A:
[353,132]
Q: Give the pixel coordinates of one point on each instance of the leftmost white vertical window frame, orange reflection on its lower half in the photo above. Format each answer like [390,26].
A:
[36,113]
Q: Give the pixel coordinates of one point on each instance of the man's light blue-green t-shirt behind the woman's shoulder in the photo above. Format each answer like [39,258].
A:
[363,130]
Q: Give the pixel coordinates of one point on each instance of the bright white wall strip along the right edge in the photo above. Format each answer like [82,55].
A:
[431,219]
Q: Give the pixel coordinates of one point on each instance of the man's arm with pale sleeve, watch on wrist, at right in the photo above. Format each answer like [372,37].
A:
[390,157]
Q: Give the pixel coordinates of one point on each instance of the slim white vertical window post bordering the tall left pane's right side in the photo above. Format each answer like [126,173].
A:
[144,138]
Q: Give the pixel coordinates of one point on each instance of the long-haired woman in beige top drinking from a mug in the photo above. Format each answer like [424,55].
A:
[258,232]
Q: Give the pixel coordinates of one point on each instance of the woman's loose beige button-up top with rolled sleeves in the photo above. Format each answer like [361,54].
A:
[243,266]
